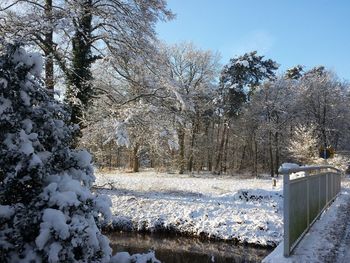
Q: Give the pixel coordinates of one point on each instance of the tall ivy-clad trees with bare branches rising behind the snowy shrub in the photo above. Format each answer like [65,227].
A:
[76,33]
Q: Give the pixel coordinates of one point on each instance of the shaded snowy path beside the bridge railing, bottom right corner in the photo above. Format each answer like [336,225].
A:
[328,239]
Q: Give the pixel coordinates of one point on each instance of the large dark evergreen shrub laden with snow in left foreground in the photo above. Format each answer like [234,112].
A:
[47,212]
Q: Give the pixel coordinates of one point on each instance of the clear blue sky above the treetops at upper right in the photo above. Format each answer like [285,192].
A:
[291,32]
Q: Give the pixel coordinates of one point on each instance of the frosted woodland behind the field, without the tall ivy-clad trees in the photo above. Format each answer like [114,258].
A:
[186,113]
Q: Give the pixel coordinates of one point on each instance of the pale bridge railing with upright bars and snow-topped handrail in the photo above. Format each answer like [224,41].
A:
[305,197]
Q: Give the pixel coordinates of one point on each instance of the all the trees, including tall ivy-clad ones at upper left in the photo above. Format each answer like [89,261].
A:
[140,102]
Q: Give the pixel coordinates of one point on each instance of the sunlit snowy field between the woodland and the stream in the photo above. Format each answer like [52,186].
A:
[226,207]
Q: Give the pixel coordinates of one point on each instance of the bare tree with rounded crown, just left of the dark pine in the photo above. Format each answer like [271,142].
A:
[194,71]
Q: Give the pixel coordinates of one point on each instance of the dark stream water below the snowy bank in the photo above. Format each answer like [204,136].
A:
[178,249]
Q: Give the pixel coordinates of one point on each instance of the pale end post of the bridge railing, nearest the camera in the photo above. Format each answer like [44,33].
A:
[286,201]
